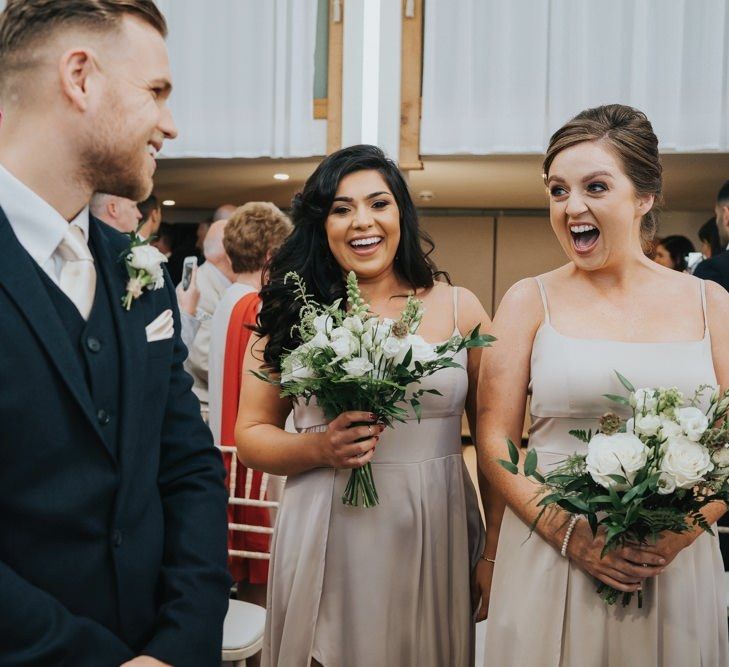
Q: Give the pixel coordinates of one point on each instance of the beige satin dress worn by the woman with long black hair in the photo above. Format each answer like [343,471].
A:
[386,586]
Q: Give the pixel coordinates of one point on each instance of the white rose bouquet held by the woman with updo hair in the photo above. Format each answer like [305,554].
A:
[651,473]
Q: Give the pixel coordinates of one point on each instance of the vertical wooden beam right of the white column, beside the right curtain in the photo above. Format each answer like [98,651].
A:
[411,84]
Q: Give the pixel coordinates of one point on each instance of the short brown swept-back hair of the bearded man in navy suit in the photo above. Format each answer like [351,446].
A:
[24,23]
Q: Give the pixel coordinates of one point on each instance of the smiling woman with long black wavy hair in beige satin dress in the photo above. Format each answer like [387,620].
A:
[397,584]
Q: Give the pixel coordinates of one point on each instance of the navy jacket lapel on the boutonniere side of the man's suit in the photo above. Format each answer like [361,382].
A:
[130,328]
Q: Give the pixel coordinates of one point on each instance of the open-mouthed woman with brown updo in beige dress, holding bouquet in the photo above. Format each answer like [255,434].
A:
[609,308]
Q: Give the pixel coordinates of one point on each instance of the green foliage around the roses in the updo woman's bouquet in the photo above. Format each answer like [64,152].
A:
[631,511]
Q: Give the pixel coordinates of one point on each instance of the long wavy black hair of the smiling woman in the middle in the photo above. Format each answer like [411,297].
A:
[307,251]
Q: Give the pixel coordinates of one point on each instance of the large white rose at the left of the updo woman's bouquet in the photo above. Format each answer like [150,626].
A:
[619,454]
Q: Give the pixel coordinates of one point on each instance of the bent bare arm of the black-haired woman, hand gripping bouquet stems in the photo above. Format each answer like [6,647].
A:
[263,444]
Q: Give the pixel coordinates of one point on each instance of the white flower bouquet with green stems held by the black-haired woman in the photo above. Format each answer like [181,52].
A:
[351,360]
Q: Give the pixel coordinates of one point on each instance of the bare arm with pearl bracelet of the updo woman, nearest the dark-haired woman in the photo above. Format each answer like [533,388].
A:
[503,385]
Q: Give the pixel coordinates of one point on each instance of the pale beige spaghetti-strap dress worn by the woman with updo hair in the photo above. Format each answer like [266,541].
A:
[544,611]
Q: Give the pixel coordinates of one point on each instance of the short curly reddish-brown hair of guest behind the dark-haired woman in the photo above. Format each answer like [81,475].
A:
[255,230]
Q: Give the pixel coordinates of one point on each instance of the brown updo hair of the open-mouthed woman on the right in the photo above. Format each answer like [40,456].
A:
[629,133]
